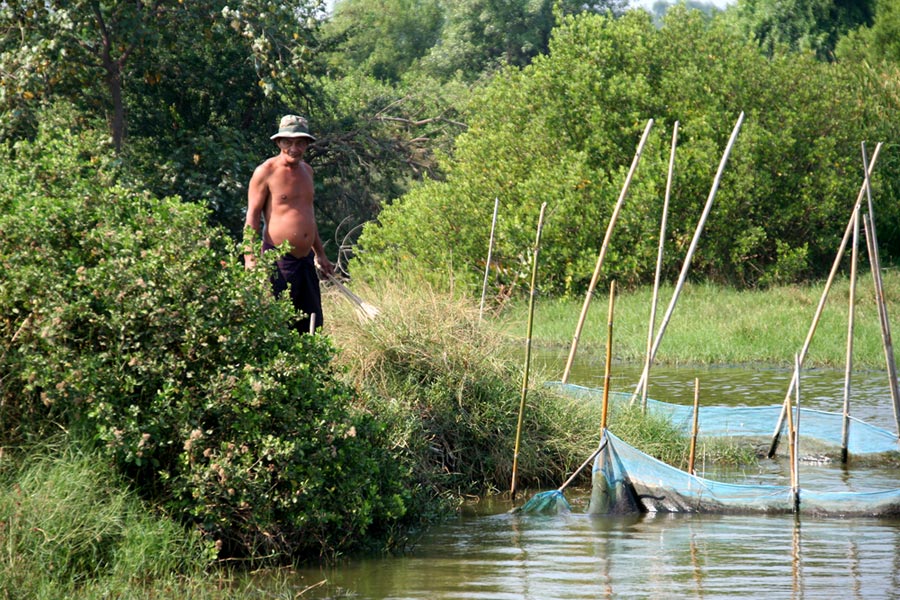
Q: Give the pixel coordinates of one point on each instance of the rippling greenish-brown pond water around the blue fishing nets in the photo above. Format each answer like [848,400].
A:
[488,553]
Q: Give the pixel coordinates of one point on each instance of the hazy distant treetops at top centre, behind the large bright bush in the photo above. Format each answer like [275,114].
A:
[437,38]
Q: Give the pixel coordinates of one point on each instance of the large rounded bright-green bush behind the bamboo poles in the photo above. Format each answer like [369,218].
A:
[565,129]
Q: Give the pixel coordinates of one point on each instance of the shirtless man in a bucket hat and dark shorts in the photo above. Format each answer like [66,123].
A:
[281,192]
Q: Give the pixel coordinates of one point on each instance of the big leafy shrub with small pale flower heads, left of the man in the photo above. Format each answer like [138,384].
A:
[128,321]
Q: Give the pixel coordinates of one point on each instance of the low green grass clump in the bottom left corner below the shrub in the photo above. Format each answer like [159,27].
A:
[69,526]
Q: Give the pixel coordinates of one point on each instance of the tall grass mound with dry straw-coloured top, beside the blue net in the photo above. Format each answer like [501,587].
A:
[449,389]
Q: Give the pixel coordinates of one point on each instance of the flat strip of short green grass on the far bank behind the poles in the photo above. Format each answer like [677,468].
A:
[717,325]
